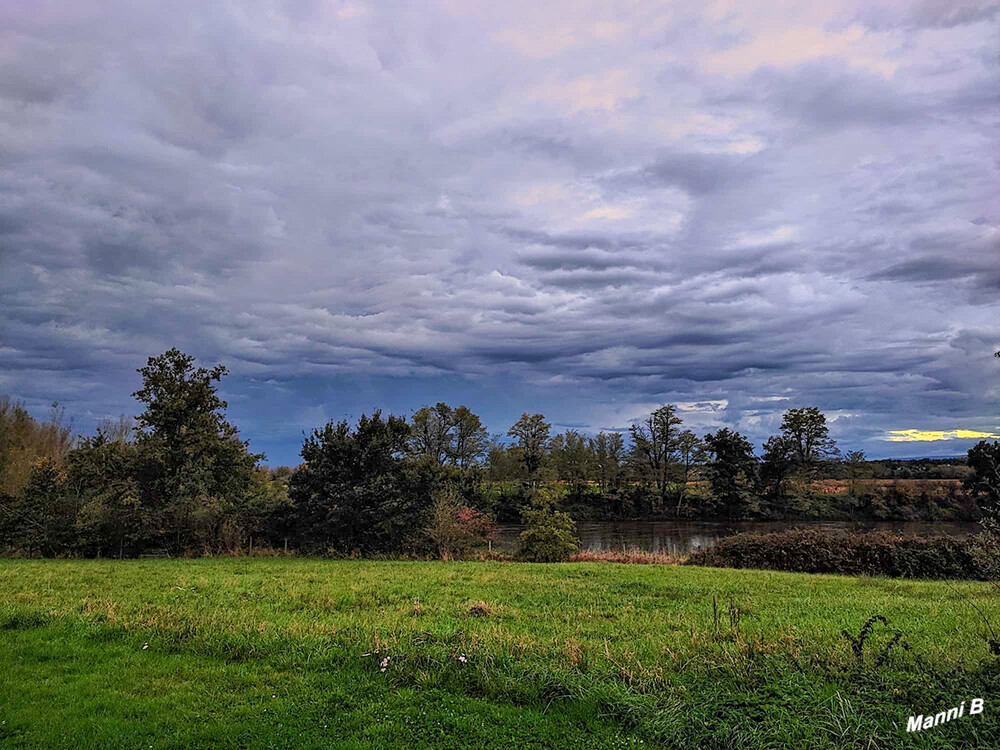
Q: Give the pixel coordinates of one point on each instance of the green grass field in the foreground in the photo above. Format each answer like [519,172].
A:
[307,653]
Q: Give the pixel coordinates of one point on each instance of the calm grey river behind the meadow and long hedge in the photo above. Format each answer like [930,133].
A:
[680,538]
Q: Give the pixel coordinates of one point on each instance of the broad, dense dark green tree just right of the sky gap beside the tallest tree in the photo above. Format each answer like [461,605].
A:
[355,491]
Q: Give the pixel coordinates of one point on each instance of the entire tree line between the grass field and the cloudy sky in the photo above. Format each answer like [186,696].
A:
[178,479]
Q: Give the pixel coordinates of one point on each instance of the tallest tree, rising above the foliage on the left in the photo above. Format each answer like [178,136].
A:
[201,465]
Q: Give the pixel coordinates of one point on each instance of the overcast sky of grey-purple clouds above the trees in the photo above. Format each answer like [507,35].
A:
[582,209]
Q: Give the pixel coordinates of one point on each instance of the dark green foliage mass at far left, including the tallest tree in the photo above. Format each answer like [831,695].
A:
[182,482]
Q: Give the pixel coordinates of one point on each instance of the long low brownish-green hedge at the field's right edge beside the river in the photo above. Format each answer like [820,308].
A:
[876,553]
